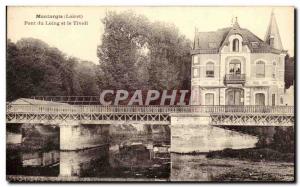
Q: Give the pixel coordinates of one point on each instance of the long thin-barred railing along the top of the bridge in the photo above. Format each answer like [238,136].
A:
[77,109]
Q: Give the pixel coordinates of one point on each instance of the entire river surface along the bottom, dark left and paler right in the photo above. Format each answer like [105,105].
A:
[144,157]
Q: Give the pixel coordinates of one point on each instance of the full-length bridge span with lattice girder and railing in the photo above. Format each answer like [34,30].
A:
[221,115]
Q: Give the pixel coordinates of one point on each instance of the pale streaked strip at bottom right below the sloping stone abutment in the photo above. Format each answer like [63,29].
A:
[201,168]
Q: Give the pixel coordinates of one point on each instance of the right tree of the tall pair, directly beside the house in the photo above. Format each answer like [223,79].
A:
[170,58]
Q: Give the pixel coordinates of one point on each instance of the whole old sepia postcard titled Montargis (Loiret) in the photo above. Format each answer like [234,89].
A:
[164,94]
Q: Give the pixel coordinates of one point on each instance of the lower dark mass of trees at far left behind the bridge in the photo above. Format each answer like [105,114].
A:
[34,68]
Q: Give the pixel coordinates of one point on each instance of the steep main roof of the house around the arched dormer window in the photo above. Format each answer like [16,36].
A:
[211,42]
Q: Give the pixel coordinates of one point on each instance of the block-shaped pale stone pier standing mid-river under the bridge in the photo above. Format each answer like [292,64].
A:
[78,137]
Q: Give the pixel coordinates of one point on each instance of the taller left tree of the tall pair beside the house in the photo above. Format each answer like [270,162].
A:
[118,51]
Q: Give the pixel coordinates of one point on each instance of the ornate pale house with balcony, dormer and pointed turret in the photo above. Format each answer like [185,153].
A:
[232,66]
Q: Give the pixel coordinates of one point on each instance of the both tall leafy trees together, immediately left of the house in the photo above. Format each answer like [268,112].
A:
[138,54]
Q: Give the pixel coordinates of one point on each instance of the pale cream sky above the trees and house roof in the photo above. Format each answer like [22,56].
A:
[81,41]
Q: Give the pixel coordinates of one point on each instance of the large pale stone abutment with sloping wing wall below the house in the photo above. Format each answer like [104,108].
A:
[193,133]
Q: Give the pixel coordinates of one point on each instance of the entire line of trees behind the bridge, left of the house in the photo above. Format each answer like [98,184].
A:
[135,54]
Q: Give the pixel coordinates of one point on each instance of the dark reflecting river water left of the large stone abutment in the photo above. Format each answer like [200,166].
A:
[138,156]
